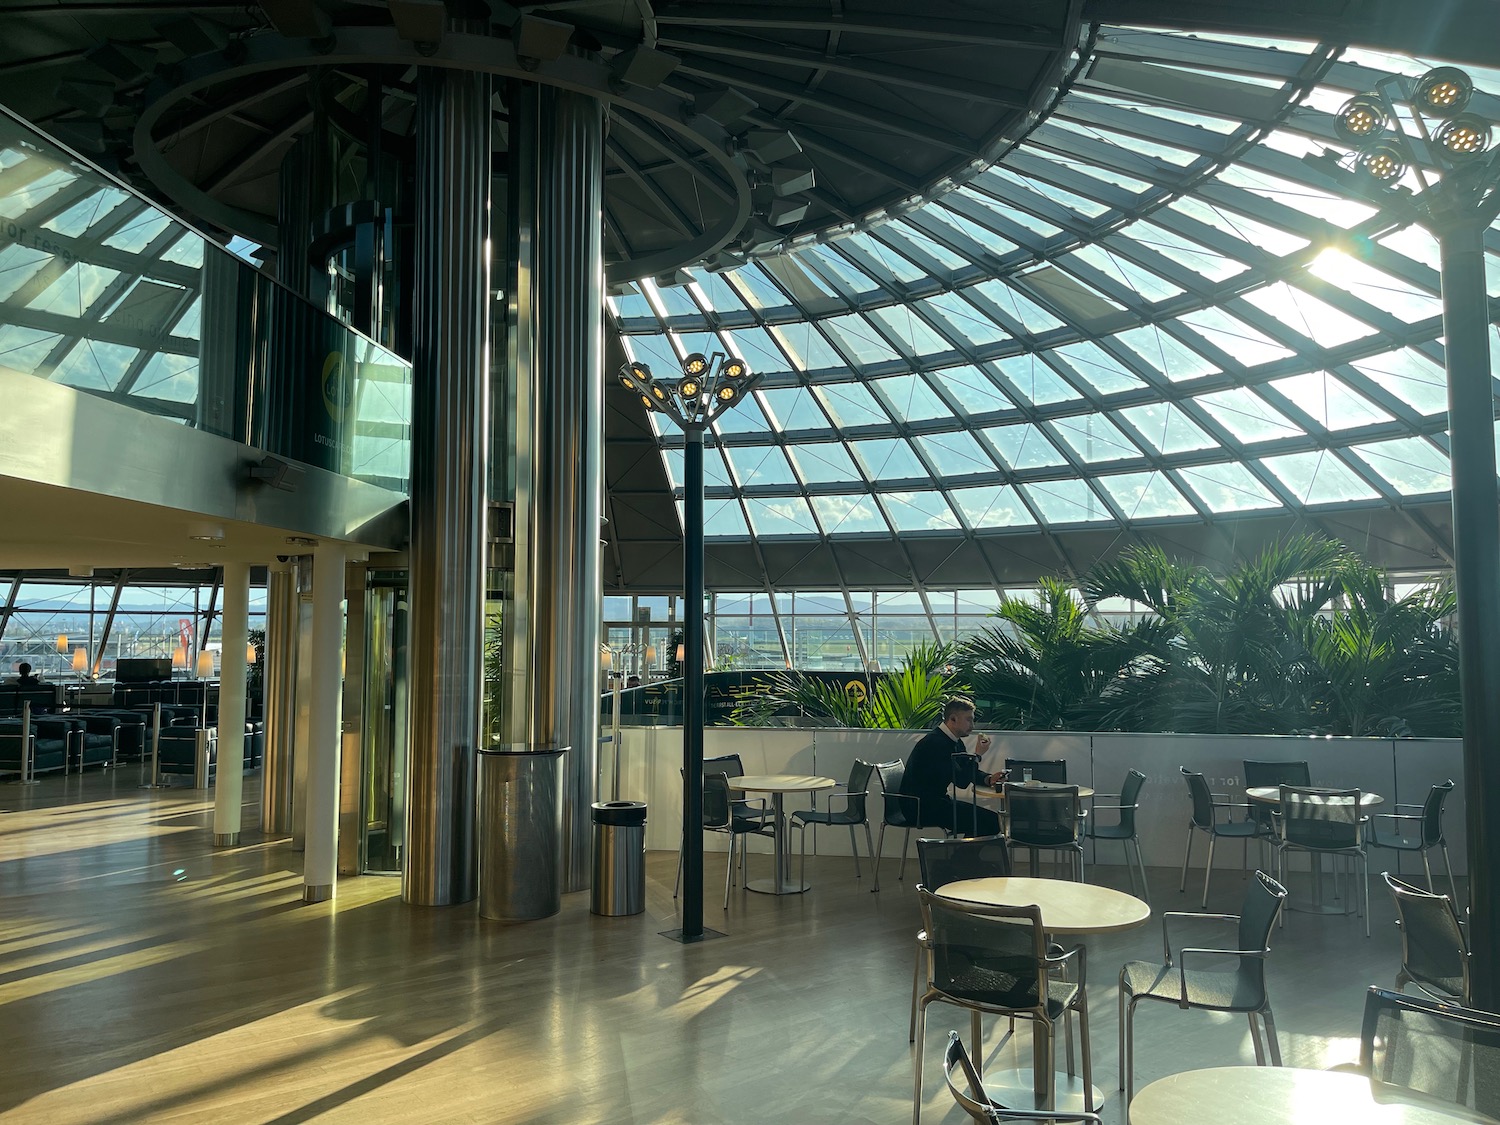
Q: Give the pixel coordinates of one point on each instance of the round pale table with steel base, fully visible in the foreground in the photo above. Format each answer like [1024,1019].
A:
[1067,908]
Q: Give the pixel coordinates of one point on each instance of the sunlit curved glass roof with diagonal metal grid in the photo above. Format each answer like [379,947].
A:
[1145,314]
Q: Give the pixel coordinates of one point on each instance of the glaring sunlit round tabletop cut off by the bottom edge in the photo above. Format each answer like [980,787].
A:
[1255,1096]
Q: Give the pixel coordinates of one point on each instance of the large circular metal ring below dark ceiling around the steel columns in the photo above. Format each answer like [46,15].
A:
[460,52]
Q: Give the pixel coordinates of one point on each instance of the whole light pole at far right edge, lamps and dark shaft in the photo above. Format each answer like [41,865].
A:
[1454,197]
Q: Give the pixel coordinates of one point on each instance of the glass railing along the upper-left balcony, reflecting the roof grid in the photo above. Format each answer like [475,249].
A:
[106,293]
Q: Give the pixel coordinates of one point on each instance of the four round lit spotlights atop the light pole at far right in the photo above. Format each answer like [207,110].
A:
[1369,124]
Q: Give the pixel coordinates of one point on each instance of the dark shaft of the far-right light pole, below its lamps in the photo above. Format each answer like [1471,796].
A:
[1477,574]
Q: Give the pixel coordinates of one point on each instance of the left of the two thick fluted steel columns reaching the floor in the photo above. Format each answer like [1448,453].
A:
[449,466]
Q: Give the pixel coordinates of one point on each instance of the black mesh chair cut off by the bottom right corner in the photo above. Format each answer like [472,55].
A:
[1424,1052]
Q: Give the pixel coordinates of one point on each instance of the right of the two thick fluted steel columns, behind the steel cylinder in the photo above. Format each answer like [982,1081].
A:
[557,350]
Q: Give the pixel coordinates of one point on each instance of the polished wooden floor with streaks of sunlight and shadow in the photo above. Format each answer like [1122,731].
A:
[148,977]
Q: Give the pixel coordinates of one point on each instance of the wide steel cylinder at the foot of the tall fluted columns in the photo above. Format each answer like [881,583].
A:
[521,833]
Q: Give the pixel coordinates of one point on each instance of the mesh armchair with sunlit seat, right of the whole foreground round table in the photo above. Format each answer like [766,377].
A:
[1237,989]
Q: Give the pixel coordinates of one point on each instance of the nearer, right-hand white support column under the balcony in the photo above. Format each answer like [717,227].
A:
[320,860]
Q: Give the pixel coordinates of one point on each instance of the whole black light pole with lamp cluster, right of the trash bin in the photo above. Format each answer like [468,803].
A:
[709,388]
